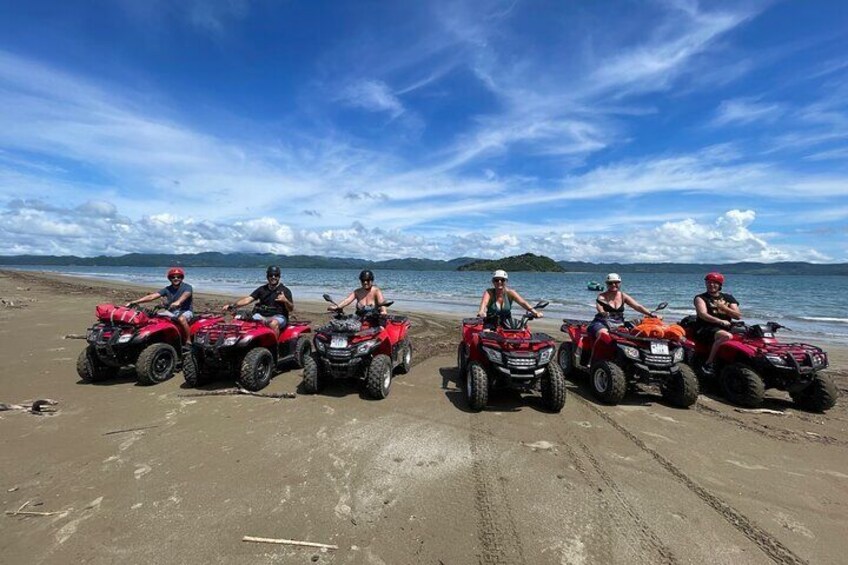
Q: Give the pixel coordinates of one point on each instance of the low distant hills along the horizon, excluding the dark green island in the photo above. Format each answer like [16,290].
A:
[262,260]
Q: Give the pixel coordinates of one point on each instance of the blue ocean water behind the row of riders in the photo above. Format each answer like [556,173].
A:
[815,307]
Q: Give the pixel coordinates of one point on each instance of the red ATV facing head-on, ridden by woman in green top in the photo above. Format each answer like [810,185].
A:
[508,355]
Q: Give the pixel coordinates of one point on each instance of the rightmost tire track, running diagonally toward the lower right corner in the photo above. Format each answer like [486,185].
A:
[769,544]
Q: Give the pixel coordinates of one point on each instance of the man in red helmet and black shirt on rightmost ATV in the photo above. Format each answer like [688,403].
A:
[715,311]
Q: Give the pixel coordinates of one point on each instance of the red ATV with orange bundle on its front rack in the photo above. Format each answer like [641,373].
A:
[630,354]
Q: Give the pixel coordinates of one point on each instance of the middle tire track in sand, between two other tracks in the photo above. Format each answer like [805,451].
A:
[642,535]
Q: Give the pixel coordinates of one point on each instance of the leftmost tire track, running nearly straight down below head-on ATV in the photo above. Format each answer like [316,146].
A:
[496,529]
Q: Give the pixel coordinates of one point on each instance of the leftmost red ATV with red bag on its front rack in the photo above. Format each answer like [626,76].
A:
[152,340]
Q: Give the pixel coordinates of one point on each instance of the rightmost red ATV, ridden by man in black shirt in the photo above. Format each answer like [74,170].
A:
[753,360]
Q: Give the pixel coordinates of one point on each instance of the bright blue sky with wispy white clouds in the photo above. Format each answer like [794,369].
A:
[667,130]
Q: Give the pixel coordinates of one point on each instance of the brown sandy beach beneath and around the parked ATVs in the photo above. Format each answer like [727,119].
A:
[133,474]
